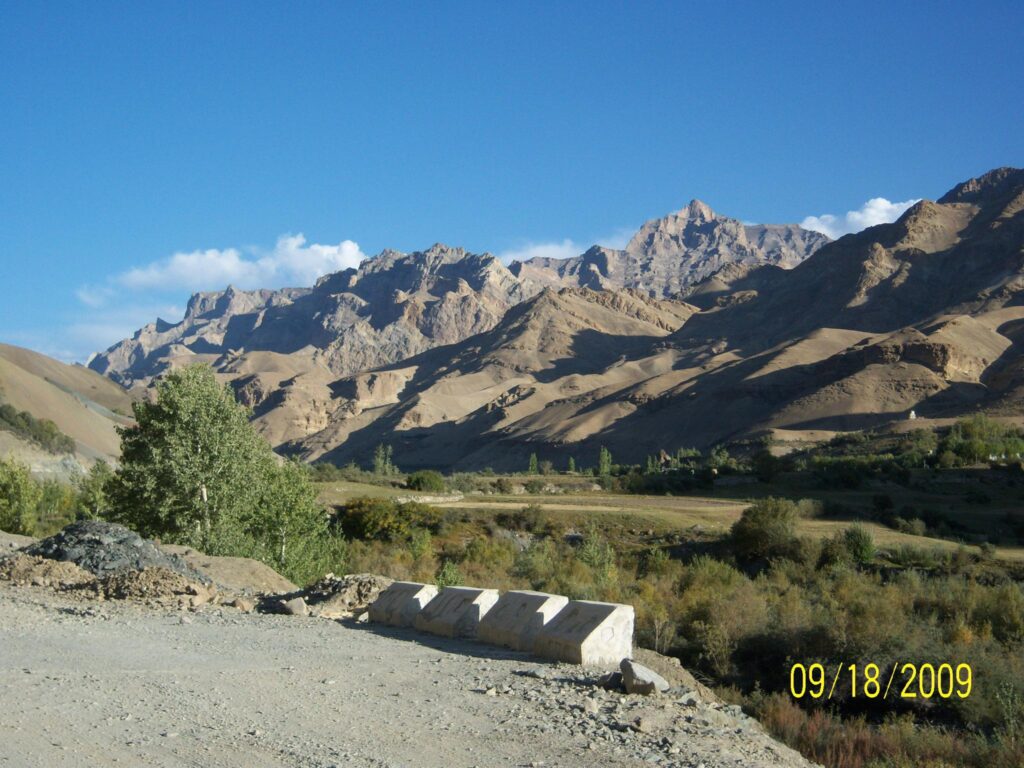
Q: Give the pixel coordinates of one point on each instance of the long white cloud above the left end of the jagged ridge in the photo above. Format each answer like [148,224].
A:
[292,263]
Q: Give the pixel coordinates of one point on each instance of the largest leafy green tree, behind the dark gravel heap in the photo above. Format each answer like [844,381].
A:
[193,470]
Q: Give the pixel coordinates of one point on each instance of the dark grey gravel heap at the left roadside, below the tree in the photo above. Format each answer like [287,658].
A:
[106,548]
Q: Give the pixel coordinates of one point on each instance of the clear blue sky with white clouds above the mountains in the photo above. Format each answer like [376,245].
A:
[151,150]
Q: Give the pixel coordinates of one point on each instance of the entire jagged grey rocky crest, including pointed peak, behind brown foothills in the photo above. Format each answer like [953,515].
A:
[397,306]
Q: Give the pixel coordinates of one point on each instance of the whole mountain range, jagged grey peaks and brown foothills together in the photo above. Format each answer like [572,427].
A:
[702,330]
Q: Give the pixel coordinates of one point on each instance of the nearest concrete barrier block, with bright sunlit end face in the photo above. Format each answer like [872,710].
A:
[589,633]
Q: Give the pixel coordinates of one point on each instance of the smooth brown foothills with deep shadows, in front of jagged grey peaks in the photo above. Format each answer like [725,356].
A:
[925,314]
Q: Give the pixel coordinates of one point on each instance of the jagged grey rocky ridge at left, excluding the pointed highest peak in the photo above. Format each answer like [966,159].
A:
[394,307]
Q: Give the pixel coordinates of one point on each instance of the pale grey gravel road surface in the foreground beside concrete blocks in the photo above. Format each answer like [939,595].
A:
[122,685]
